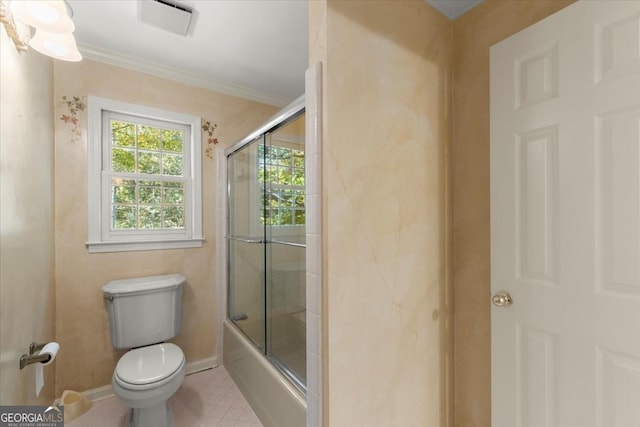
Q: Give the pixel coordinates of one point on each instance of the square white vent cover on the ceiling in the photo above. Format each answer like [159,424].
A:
[168,15]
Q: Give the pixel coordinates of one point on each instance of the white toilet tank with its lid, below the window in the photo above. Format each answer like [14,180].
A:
[144,310]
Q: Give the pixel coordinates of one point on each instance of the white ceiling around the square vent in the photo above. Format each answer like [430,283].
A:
[256,49]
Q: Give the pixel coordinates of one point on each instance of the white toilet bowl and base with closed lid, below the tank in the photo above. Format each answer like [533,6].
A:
[145,378]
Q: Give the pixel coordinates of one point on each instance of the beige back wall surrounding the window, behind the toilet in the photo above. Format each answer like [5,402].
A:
[86,358]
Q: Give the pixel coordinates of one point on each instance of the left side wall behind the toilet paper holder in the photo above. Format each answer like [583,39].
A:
[27,300]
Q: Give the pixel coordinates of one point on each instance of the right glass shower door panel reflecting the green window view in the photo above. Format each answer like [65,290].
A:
[284,216]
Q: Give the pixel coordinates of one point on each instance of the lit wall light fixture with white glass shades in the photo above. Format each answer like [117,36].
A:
[53,26]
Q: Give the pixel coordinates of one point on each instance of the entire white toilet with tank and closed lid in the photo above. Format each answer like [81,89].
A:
[143,313]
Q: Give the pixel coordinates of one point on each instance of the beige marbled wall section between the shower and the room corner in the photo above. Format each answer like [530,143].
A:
[385,132]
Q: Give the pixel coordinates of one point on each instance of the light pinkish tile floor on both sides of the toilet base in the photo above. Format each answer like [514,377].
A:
[206,399]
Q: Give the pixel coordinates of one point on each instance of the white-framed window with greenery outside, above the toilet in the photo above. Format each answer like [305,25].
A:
[144,178]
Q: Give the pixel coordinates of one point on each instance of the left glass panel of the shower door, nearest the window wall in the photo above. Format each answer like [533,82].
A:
[246,252]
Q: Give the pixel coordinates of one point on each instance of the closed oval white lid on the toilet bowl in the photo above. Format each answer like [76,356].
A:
[150,364]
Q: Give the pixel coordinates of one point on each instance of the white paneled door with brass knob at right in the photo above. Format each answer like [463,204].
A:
[565,220]
